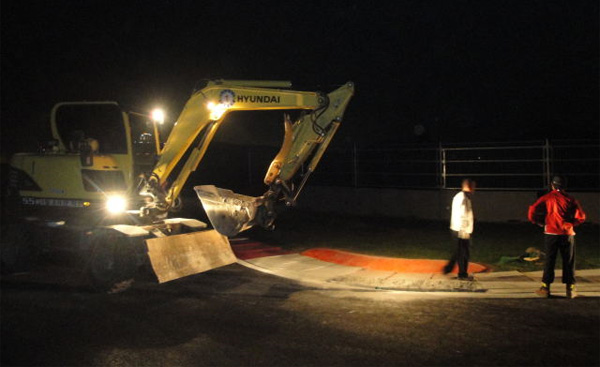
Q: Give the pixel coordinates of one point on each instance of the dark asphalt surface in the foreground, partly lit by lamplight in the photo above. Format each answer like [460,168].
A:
[236,316]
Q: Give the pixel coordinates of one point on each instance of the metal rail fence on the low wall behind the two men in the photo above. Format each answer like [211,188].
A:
[495,166]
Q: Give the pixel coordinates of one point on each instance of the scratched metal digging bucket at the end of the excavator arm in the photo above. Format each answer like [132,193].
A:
[228,212]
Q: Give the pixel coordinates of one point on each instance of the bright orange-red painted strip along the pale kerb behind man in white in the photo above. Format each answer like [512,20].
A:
[385,263]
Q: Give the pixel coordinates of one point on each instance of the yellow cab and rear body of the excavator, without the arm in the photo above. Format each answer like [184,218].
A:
[86,165]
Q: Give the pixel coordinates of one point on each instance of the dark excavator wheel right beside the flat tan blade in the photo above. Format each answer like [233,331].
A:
[112,264]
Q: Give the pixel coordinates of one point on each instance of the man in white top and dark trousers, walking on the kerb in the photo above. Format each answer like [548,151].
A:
[461,224]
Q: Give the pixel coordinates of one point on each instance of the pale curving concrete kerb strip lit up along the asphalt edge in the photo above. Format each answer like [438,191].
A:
[317,273]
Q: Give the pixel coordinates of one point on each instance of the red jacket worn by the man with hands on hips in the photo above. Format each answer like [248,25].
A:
[560,210]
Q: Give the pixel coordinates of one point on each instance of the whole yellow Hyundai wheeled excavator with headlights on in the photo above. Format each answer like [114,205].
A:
[107,187]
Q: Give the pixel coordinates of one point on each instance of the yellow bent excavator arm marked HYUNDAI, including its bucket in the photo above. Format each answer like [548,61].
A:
[304,140]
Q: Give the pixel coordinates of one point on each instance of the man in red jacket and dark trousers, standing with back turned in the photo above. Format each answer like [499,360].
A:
[558,213]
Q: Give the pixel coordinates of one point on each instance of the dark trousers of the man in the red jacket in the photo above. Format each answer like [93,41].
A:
[566,246]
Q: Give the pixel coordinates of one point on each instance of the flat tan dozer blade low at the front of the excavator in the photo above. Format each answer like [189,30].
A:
[177,256]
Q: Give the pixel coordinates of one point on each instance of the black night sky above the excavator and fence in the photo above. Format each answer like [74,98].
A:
[464,70]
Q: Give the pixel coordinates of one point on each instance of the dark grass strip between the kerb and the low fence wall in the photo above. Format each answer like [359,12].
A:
[409,238]
